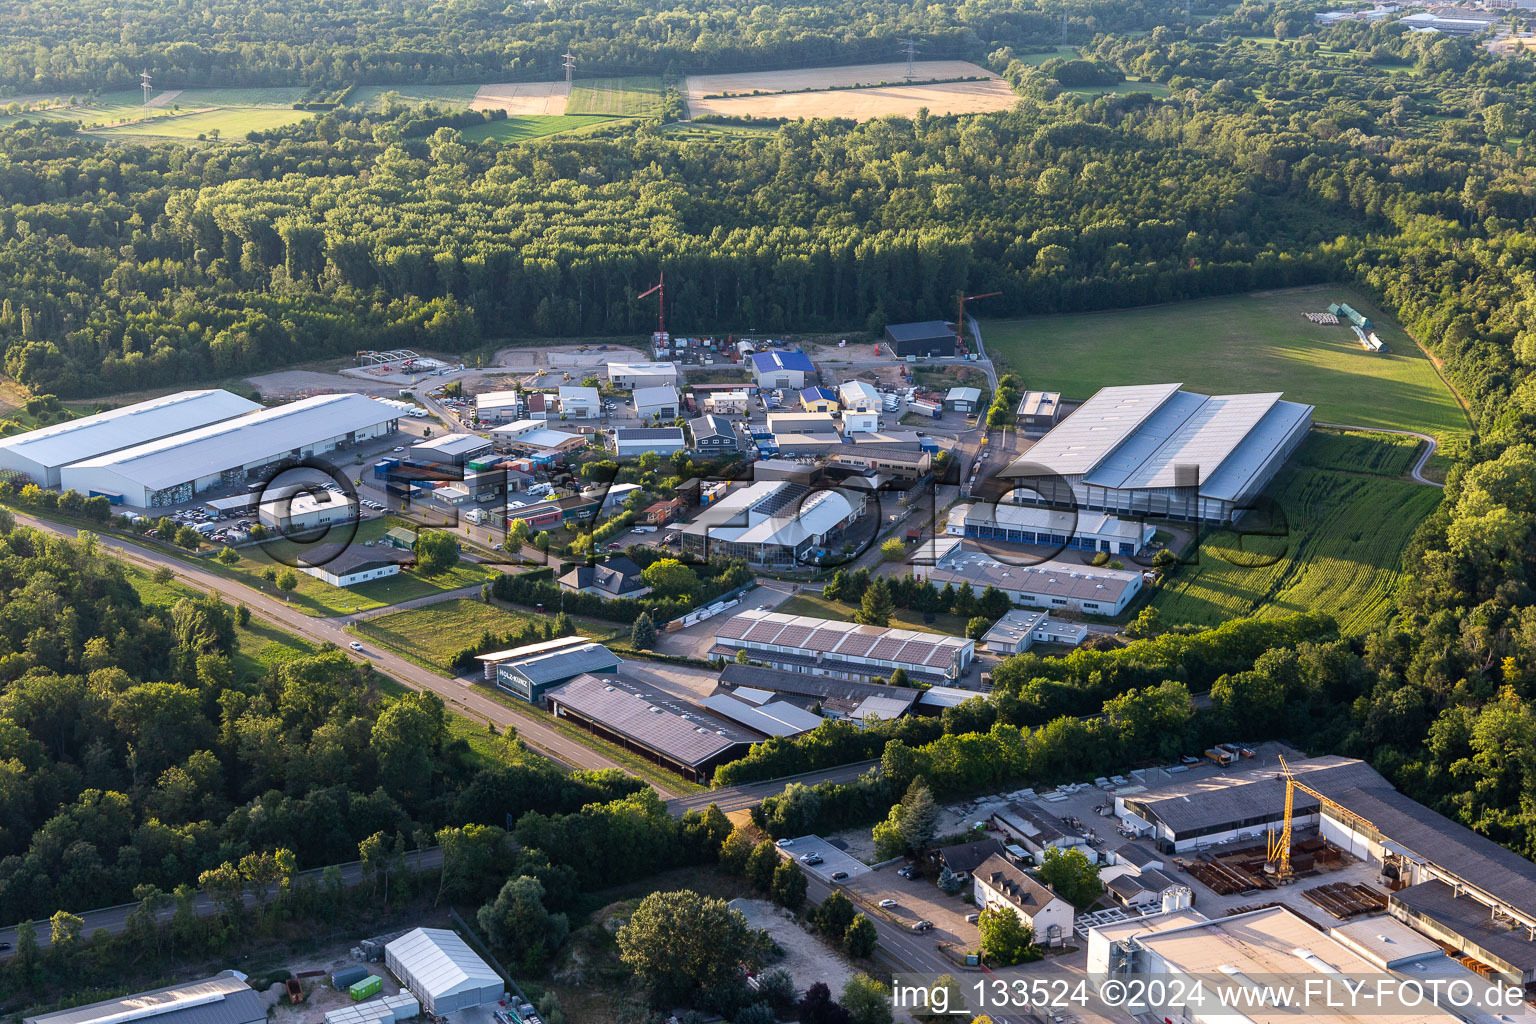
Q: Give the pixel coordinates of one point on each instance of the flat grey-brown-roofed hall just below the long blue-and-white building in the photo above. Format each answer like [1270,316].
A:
[1050,586]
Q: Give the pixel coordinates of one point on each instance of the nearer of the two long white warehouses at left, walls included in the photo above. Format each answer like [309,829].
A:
[176,469]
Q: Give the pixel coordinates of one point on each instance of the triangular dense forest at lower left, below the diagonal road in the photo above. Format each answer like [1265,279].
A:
[131,755]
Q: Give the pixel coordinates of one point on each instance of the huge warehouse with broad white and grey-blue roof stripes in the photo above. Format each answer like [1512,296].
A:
[1157,451]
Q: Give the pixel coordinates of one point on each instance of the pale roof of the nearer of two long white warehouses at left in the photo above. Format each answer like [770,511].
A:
[250,440]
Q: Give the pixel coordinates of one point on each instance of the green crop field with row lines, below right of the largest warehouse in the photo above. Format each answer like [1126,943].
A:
[1339,547]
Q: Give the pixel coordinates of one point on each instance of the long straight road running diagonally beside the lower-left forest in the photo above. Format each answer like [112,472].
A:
[458,695]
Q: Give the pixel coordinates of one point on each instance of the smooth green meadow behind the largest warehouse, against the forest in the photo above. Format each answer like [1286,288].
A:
[1246,343]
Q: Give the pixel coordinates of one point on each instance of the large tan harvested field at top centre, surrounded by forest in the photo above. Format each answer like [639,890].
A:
[829,91]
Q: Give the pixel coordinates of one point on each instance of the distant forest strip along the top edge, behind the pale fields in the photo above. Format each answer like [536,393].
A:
[84,45]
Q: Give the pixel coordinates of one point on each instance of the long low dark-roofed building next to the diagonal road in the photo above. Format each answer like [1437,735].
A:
[666,730]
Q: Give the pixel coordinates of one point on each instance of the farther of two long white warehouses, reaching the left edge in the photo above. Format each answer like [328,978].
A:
[42,454]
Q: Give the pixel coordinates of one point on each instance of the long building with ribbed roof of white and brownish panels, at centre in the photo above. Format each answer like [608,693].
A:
[846,650]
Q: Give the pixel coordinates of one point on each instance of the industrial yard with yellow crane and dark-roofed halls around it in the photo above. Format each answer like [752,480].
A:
[1246,828]
